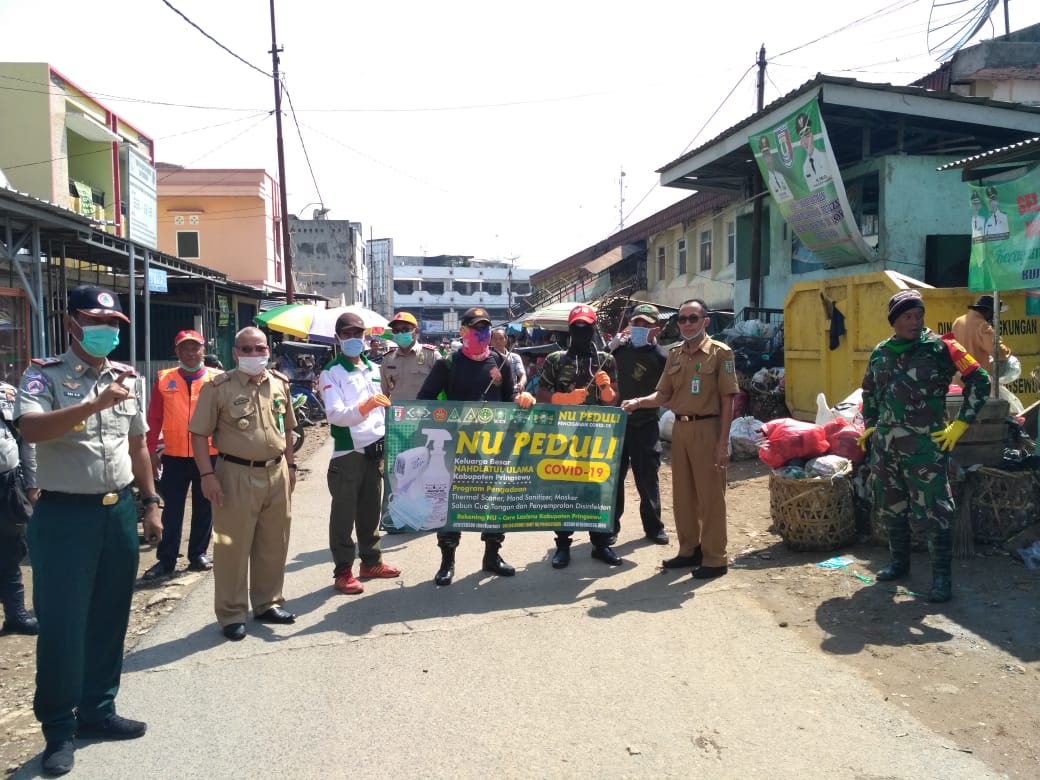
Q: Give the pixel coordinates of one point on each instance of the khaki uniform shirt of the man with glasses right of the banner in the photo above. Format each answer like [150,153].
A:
[698,379]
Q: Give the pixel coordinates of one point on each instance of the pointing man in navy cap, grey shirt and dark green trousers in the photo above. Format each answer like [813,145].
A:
[85,414]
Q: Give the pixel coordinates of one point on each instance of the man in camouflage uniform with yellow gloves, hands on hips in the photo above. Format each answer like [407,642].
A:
[904,410]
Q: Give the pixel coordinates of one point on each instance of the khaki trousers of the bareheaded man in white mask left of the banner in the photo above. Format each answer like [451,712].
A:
[251,540]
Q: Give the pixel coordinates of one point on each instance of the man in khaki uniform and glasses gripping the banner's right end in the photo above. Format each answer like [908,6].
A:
[698,385]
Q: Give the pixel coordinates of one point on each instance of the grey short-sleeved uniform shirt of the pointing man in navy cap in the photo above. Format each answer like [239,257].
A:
[94,457]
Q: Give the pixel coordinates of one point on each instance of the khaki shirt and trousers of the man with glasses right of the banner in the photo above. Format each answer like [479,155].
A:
[698,381]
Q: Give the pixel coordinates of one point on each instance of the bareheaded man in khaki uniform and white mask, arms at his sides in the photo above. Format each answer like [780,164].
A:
[249,414]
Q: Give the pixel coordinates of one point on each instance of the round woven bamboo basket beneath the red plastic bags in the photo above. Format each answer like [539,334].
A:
[813,514]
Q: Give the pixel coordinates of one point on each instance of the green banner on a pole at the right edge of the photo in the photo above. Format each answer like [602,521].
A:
[1006,236]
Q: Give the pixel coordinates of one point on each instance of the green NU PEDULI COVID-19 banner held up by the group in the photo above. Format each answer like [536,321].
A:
[496,467]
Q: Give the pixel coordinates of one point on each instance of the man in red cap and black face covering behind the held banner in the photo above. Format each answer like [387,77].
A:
[582,376]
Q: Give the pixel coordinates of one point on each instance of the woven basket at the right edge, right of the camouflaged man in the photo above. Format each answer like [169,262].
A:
[1003,504]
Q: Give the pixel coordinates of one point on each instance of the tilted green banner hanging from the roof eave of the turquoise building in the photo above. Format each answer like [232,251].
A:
[798,166]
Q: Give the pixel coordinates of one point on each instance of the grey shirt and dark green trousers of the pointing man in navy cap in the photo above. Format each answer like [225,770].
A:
[84,543]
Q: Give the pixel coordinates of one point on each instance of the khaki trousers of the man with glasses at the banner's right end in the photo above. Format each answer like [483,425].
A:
[699,491]
